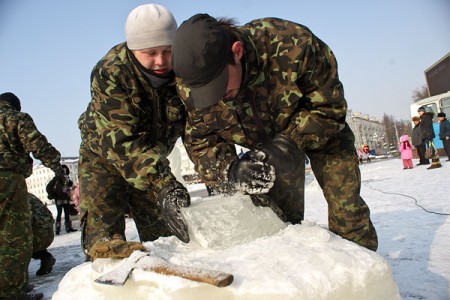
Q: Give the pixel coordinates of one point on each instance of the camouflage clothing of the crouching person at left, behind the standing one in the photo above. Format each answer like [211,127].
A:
[42,224]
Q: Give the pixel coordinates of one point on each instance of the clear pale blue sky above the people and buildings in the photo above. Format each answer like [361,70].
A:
[49,47]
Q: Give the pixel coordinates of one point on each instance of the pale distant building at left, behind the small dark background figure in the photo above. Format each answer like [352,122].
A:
[42,175]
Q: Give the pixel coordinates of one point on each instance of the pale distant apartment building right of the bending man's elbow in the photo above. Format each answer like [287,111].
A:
[367,130]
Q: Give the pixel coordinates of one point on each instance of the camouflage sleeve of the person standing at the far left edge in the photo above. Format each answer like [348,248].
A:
[35,142]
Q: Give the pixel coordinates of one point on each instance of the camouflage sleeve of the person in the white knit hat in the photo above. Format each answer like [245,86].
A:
[119,136]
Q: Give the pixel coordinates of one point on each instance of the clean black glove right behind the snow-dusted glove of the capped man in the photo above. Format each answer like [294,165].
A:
[281,153]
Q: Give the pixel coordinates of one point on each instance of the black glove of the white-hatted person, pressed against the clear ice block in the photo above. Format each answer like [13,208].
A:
[173,196]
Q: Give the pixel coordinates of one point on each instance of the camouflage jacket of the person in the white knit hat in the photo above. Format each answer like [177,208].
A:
[130,123]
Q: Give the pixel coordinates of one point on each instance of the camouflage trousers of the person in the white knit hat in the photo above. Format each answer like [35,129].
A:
[104,195]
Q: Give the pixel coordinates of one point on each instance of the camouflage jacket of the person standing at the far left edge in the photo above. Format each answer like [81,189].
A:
[18,138]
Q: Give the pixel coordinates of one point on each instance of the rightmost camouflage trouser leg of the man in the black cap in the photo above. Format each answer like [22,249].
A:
[336,169]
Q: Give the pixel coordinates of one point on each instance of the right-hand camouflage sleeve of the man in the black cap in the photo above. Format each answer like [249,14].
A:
[322,106]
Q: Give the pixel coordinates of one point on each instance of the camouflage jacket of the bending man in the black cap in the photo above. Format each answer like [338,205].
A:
[290,86]
